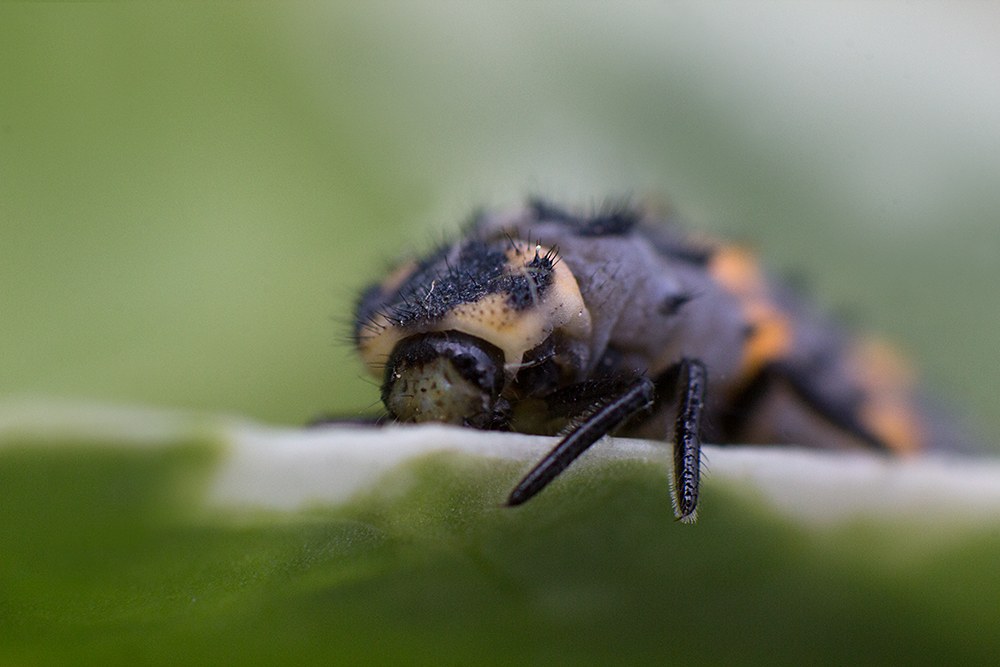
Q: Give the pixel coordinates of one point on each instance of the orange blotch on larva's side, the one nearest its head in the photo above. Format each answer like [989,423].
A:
[737,270]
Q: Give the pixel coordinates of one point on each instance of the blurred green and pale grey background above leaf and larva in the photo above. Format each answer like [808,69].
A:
[192,194]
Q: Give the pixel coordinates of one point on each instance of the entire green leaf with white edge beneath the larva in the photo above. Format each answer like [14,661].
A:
[195,541]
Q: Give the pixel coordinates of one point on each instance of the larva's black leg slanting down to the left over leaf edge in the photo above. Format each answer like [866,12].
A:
[628,400]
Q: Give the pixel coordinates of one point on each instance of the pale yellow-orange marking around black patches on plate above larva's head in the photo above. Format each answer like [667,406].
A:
[490,318]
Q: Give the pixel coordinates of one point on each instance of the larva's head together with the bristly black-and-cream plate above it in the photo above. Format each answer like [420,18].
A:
[446,334]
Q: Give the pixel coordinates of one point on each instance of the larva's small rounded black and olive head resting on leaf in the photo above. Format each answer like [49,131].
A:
[444,376]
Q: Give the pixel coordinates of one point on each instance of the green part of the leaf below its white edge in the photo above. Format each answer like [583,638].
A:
[428,568]
